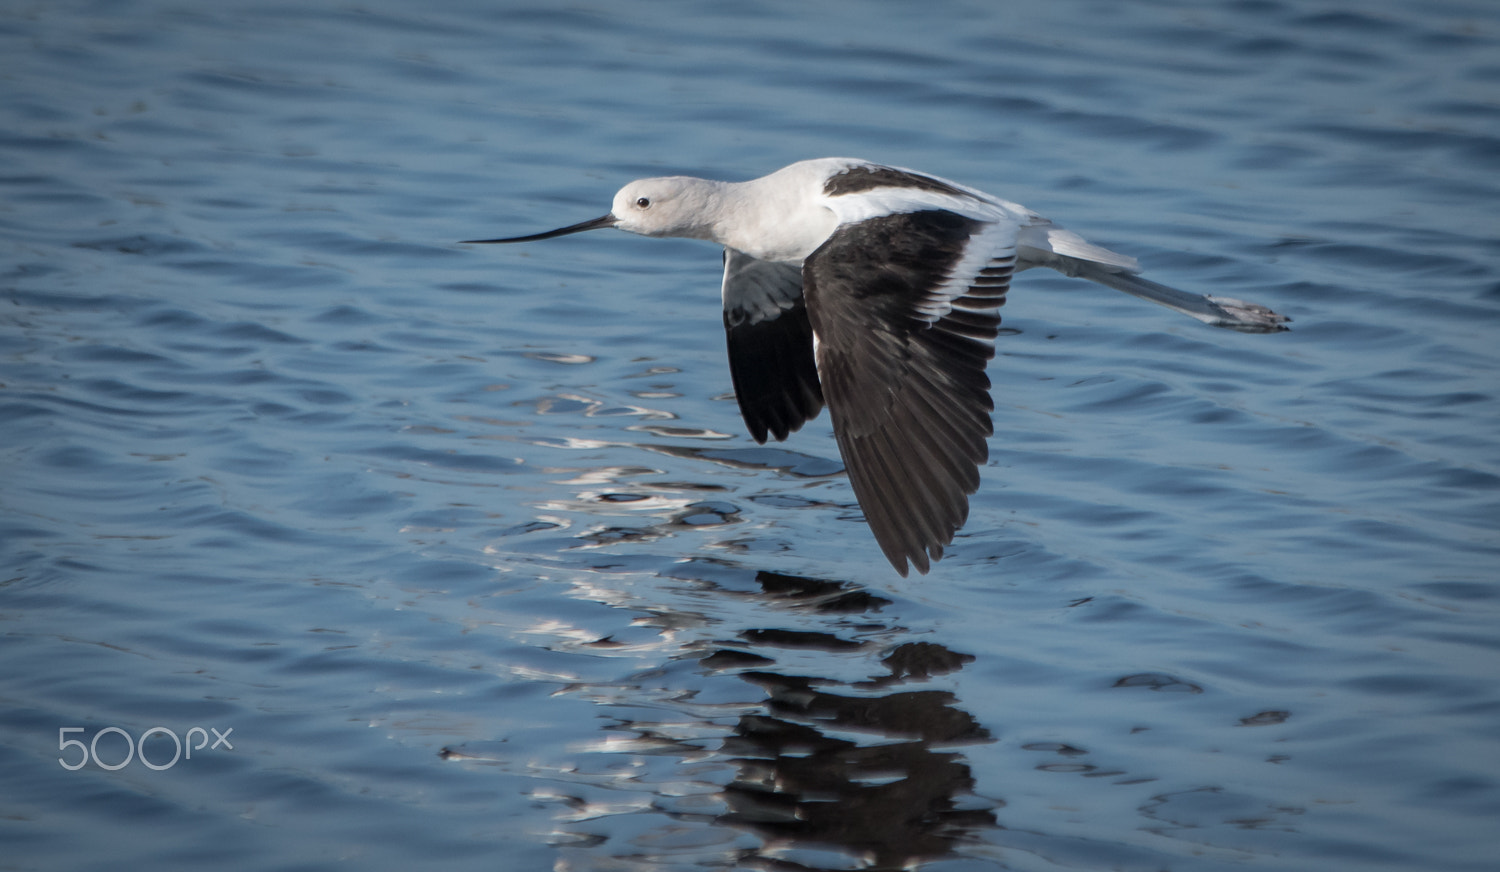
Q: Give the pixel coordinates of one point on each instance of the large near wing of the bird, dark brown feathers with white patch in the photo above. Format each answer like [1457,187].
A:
[905,313]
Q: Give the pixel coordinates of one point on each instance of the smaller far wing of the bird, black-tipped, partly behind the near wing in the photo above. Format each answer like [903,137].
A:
[770,346]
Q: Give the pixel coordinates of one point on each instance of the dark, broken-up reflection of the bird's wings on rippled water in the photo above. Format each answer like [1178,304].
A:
[853,766]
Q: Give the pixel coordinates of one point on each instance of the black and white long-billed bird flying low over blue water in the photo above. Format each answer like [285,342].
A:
[875,290]
